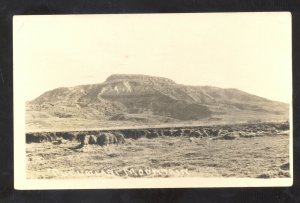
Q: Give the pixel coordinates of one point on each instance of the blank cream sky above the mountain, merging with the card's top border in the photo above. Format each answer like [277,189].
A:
[248,51]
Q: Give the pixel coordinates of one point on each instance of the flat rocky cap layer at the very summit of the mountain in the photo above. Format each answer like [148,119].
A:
[115,77]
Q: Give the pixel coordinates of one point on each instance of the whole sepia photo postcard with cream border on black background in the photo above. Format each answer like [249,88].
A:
[152,100]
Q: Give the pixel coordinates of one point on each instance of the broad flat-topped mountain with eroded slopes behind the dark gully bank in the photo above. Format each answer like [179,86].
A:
[148,99]
